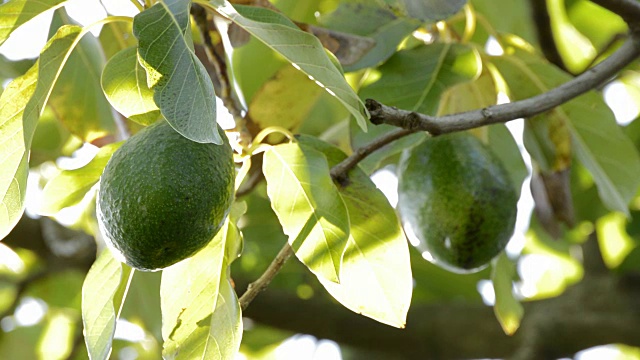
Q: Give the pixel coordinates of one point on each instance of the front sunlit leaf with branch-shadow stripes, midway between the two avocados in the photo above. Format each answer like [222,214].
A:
[309,207]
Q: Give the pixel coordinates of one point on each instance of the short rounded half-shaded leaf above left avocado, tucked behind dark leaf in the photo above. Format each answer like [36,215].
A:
[124,82]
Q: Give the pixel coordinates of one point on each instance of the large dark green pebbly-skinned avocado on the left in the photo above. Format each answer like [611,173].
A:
[163,197]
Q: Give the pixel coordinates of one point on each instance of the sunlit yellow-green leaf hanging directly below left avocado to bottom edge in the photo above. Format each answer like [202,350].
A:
[200,312]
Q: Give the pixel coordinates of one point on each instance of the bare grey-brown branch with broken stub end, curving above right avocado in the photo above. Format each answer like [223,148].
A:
[383,114]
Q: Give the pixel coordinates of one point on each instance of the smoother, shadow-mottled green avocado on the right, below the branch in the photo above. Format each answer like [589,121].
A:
[458,200]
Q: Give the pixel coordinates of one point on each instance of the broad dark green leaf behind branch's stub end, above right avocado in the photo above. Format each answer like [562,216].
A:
[415,80]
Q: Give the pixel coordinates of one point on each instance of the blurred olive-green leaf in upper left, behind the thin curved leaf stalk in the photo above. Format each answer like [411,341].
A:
[77,98]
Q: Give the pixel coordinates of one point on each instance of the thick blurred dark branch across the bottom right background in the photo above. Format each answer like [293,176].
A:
[597,311]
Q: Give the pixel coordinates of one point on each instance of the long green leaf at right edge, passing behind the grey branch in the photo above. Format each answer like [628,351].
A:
[597,140]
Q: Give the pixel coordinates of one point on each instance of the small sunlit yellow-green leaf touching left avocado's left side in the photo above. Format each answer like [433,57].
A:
[70,186]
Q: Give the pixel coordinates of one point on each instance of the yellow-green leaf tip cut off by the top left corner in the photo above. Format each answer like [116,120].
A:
[14,13]
